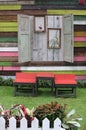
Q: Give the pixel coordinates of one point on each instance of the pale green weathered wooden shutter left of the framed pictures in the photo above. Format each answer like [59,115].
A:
[24,38]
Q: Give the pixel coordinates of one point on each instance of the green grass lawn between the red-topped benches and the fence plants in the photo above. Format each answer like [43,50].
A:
[45,96]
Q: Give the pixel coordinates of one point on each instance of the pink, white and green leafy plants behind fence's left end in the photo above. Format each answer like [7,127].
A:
[18,111]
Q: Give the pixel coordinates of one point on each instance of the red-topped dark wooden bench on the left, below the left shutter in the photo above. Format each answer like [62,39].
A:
[24,83]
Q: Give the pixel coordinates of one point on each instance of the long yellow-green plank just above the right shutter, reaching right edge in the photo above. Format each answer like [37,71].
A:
[62,12]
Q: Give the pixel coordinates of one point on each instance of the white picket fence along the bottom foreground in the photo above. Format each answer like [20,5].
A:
[34,124]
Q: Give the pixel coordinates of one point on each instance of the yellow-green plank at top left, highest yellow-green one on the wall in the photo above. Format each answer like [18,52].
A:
[10,7]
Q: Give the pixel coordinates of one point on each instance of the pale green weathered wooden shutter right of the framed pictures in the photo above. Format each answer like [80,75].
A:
[68,38]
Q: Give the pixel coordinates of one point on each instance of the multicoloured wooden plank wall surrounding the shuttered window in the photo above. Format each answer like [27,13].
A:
[9,41]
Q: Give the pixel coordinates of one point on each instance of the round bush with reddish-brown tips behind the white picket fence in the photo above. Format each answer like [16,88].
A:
[50,111]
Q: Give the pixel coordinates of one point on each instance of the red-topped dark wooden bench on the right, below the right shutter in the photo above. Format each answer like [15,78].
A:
[65,85]
